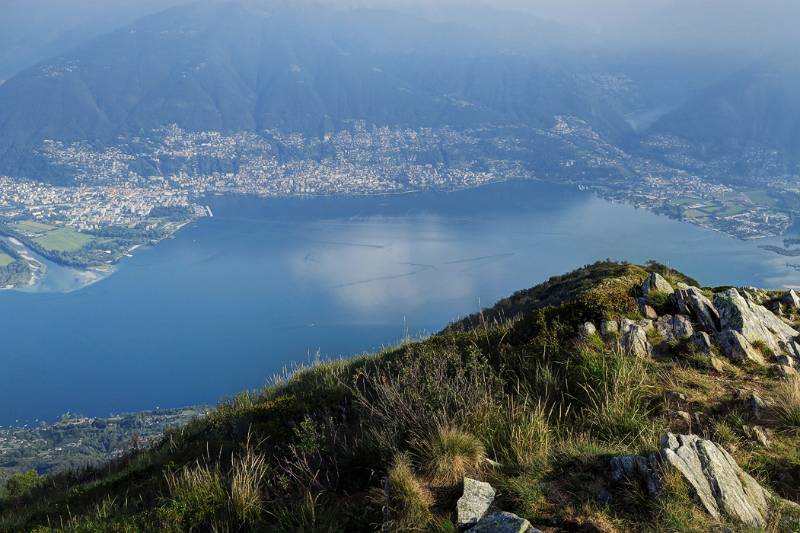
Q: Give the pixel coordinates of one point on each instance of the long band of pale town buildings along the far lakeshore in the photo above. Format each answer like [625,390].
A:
[122,185]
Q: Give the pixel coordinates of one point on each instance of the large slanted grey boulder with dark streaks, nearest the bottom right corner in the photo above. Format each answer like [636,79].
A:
[722,488]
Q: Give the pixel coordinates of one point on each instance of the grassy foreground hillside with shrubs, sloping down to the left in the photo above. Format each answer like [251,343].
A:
[540,397]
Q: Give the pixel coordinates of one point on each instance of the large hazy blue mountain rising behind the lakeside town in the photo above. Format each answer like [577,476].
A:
[258,65]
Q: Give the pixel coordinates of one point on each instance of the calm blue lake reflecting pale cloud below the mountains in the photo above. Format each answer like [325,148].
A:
[267,283]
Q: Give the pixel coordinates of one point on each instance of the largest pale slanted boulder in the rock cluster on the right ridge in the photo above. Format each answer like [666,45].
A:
[753,321]
